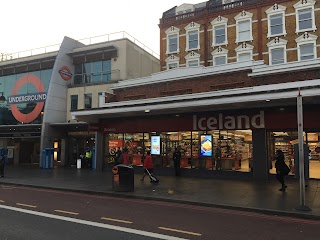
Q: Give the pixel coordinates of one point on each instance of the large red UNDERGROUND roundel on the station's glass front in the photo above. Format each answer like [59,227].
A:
[28,117]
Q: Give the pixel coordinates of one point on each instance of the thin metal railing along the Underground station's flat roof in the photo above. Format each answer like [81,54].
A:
[86,41]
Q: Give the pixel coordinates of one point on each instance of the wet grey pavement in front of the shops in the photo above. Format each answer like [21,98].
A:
[239,194]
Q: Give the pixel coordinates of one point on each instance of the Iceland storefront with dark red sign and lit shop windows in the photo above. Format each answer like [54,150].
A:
[232,143]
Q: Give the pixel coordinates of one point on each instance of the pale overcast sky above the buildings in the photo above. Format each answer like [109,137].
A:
[29,24]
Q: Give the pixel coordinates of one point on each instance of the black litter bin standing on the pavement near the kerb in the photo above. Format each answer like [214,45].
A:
[123,178]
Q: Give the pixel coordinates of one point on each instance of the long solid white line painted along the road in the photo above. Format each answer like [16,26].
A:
[94,224]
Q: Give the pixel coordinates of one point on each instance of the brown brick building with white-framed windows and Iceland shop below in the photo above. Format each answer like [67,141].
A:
[227,92]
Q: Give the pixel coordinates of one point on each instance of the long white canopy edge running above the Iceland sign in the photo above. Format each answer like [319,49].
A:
[215,98]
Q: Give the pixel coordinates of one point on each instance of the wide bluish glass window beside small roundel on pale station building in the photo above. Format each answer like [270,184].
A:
[92,72]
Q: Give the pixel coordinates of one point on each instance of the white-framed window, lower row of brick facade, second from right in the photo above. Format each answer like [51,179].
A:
[277,51]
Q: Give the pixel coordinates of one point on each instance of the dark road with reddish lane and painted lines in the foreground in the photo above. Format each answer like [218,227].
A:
[82,216]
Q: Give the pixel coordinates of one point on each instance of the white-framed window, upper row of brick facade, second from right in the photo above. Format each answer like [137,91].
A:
[276,20]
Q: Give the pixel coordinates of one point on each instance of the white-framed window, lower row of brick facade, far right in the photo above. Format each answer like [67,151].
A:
[306,44]
